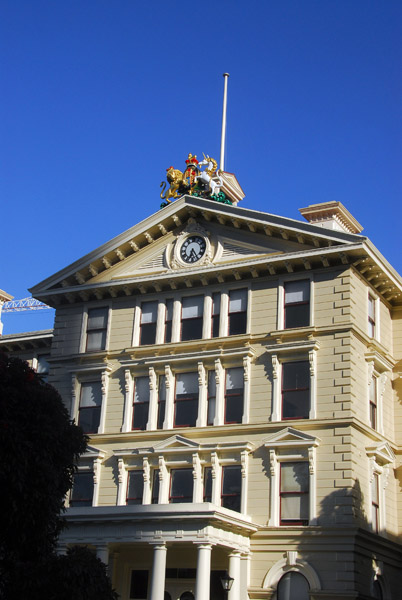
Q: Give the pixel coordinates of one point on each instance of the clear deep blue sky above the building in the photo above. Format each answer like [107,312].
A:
[99,97]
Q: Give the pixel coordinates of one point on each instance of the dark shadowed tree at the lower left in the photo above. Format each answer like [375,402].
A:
[39,448]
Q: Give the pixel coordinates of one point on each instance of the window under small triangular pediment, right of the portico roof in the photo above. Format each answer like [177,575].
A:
[294,493]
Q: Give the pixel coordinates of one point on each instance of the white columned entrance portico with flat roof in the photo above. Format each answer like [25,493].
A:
[172,548]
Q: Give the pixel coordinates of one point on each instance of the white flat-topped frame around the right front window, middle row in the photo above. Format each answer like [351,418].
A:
[290,353]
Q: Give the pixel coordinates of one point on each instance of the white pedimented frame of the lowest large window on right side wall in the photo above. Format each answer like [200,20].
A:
[380,460]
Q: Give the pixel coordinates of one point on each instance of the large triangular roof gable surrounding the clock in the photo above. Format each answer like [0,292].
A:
[235,238]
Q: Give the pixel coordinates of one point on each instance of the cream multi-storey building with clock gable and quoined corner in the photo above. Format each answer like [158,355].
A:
[239,374]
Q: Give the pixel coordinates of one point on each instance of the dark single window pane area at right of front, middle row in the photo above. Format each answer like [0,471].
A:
[295,390]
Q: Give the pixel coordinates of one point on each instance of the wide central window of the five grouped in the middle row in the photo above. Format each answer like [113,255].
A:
[186,400]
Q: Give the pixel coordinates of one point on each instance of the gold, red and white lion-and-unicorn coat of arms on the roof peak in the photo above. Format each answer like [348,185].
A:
[194,181]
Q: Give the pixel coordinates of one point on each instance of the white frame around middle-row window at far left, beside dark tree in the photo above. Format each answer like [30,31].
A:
[86,375]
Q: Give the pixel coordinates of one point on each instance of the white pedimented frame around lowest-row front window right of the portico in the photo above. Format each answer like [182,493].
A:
[304,450]
